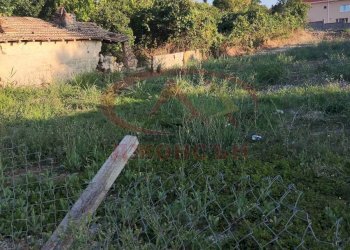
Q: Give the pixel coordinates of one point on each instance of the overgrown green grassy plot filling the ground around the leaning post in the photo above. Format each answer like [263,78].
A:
[290,189]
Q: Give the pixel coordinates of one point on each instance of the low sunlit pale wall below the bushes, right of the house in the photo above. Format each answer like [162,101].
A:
[180,59]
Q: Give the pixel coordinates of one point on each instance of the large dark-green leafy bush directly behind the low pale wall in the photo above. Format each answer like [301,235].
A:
[183,23]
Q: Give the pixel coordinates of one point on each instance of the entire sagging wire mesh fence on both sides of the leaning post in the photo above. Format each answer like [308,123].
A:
[196,207]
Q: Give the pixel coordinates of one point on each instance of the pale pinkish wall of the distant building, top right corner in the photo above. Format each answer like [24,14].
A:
[328,11]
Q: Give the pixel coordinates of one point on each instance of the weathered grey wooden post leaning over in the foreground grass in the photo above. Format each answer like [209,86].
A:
[94,194]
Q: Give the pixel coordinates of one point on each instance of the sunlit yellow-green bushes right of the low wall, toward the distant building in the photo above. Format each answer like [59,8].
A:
[253,27]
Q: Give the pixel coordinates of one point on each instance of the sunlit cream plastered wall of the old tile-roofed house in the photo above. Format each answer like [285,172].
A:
[36,63]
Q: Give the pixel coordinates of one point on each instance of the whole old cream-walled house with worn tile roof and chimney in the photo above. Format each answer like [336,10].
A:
[34,52]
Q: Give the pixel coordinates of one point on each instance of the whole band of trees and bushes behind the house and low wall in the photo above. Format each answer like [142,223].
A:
[178,24]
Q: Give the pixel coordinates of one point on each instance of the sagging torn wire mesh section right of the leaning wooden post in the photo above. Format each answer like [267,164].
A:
[202,211]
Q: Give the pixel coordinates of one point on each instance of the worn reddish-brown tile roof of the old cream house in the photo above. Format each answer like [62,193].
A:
[14,29]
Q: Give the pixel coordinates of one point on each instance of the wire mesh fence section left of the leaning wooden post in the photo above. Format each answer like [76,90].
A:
[35,195]
